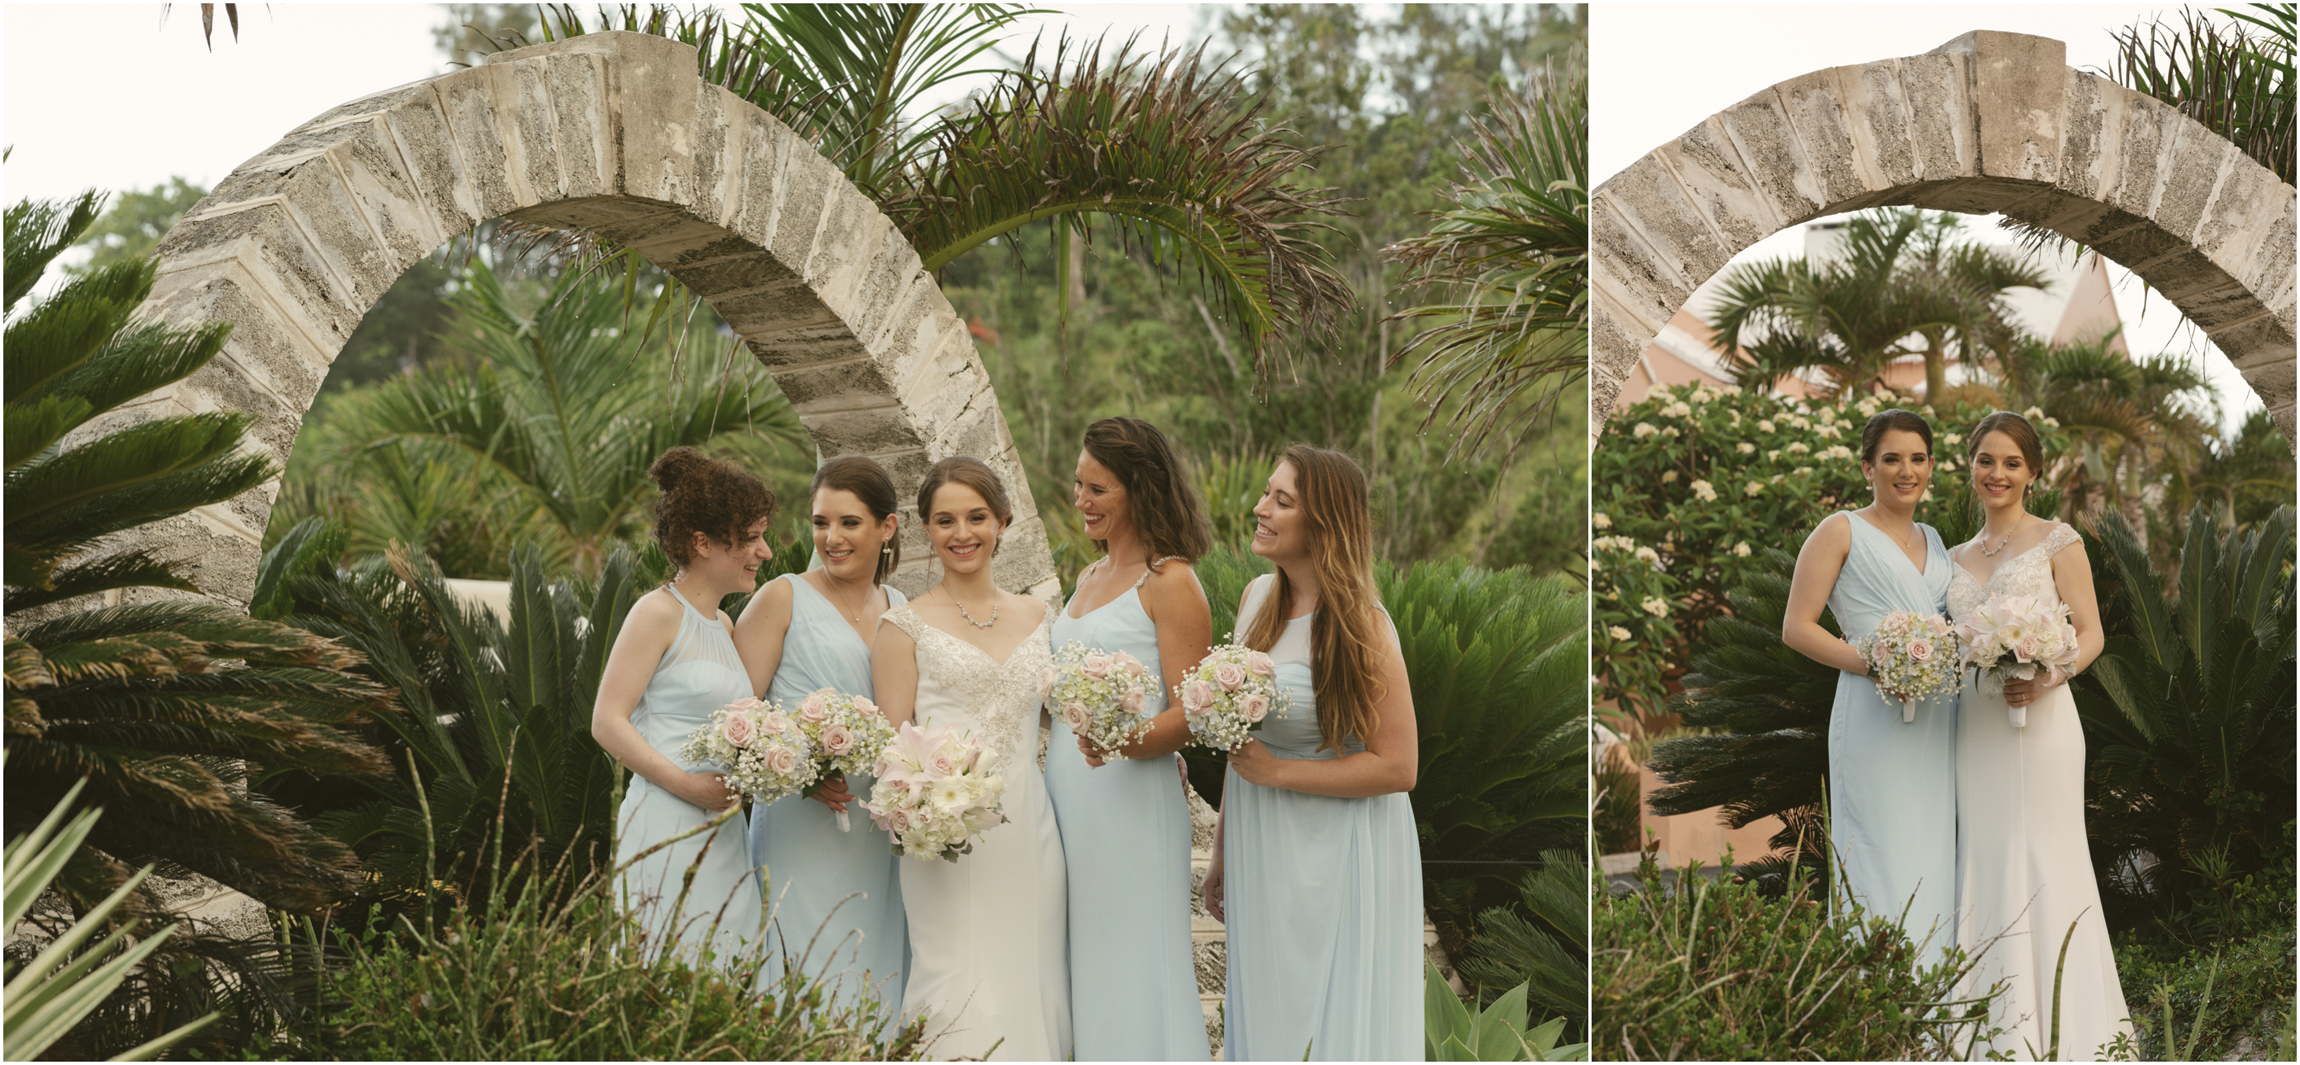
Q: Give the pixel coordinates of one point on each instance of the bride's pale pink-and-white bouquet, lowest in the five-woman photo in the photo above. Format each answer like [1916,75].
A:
[935,795]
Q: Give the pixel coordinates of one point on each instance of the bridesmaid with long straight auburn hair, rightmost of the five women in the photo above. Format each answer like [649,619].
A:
[1317,868]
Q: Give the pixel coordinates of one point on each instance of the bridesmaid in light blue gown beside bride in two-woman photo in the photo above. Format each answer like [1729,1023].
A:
[1892,786]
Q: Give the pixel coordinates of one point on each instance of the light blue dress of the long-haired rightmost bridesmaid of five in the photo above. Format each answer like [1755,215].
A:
[1324,901]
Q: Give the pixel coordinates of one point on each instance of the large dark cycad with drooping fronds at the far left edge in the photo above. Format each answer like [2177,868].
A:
[171,710]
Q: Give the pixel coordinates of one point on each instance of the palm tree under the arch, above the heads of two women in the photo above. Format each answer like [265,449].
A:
[1901,286]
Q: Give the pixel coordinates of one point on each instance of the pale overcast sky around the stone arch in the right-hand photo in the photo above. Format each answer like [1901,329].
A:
[1685,63]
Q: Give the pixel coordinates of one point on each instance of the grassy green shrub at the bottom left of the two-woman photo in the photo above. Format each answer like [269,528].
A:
[1724,972]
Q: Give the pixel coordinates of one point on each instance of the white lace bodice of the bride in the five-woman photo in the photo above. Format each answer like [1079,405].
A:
[960,684]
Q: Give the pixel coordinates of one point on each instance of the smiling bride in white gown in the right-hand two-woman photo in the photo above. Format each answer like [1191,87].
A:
[2023,866]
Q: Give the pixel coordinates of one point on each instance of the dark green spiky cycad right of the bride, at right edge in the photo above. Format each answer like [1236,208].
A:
[2188,712]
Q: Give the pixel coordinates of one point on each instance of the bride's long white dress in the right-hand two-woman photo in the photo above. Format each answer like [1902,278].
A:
[2023,864]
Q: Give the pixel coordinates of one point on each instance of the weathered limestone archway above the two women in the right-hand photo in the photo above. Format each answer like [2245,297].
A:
[1986,123]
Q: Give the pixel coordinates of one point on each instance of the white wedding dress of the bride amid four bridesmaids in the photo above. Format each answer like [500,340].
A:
[990,956]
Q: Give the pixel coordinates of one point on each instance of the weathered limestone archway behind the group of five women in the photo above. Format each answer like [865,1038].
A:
[615,135]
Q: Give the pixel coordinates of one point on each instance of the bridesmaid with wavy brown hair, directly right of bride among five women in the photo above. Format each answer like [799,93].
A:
[1126,825]
